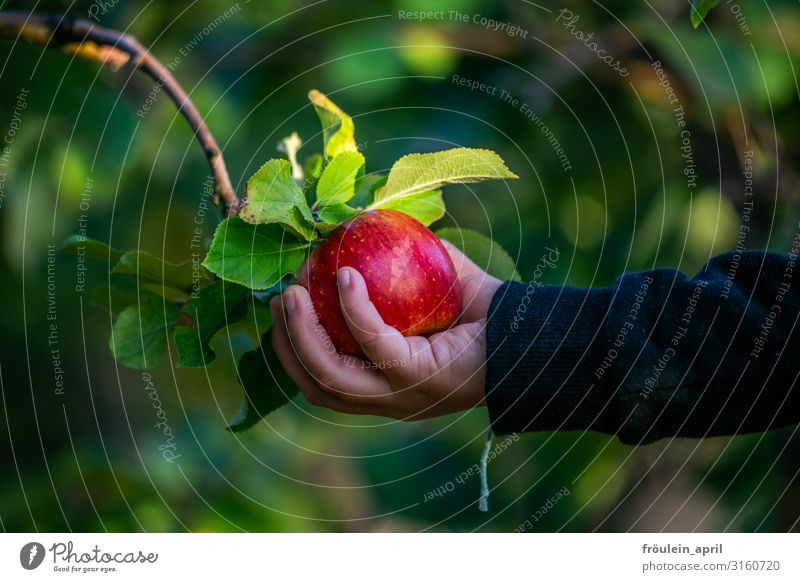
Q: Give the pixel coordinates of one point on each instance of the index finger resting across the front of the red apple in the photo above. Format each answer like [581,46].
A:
[382,343]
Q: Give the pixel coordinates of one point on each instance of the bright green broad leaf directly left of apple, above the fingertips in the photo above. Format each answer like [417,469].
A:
[256,256]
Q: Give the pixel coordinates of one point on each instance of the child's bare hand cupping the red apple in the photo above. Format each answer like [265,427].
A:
[408,378]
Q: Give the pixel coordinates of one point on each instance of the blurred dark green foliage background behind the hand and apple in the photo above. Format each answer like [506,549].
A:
[89,460]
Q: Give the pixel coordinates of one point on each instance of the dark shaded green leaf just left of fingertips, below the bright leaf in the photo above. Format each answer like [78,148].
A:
[207,311]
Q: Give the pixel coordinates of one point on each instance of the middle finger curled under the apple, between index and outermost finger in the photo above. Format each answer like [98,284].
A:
[346,377]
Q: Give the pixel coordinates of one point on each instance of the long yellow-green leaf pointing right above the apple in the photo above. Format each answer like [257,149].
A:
[417,173]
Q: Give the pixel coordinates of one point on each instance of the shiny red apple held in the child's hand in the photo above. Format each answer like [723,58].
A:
[409,274]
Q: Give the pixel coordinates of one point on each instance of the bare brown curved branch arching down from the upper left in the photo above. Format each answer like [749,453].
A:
[115,49]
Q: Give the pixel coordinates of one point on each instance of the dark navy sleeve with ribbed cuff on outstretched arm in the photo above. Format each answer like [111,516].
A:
[657,355]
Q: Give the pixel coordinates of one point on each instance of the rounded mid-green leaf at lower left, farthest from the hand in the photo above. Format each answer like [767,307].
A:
[140,333]
